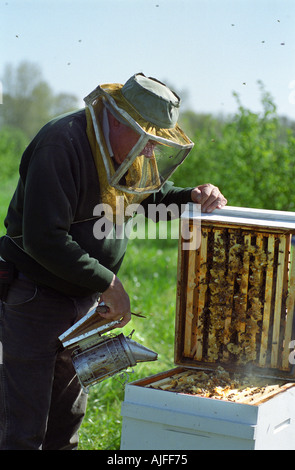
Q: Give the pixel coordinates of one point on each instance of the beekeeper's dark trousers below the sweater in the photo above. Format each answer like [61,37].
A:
[42,404]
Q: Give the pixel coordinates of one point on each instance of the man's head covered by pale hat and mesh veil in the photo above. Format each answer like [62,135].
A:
[143,135]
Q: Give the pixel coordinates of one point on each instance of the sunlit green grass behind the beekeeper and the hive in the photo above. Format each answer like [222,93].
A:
[149,276]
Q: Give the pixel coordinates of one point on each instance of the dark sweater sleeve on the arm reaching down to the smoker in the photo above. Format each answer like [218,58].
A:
[50,200]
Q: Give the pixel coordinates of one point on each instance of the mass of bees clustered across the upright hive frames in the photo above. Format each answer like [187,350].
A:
[234,270]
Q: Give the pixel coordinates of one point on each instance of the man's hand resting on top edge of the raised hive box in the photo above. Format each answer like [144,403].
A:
[209,197]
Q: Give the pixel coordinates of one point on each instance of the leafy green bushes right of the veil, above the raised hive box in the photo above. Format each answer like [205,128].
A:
[250,158]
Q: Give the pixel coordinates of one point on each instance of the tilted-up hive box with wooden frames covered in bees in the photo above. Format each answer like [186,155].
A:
[236,292]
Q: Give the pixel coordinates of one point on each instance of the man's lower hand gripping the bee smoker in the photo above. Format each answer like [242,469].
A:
[117,301]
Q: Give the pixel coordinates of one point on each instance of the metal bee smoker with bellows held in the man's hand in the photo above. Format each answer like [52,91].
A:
[97,354]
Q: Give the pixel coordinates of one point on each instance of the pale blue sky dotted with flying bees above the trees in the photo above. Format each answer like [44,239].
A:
[205,48]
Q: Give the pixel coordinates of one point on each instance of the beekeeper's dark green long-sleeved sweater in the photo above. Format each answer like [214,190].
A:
[50,218]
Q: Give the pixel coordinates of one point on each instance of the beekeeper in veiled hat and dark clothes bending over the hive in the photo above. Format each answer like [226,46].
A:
[126,143]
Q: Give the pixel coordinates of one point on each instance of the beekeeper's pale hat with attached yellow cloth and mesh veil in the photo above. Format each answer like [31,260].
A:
[151,110]
